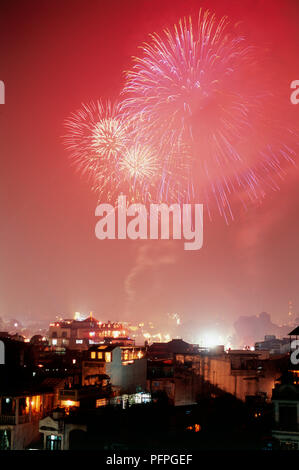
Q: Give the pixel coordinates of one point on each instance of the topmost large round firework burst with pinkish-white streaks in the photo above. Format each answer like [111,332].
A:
[187,73]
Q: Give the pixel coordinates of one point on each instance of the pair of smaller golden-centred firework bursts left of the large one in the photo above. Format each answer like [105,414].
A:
[103,144]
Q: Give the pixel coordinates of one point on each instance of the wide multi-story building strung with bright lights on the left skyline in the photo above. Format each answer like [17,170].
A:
[76,334]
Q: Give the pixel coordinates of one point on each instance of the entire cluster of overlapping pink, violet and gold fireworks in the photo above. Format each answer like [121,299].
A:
[195,124]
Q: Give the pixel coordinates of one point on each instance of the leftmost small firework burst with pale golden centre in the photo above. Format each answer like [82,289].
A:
[97,135]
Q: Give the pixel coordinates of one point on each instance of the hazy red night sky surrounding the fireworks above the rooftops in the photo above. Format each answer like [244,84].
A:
[56,54]
